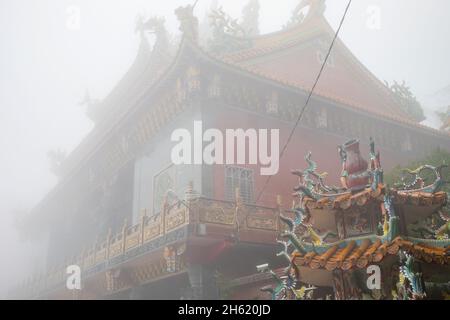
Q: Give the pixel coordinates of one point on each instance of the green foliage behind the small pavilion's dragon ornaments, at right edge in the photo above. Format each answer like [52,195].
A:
[437,158]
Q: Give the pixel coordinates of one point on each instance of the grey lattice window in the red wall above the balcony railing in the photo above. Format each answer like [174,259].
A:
[242,178]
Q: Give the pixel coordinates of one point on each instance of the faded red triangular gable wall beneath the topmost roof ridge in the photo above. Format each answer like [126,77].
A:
[340,79]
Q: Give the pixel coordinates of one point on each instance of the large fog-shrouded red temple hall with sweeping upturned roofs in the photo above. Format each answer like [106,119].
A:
[141,227]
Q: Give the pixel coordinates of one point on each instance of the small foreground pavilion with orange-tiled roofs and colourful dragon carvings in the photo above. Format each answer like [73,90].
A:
[364,239]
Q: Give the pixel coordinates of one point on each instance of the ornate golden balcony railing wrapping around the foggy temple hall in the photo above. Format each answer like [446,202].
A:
[235,216]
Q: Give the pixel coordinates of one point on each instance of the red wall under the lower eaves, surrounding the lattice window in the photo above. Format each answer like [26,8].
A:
[321,143]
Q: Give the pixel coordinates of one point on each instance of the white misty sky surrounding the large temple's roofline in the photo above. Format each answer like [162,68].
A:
[46,68]
